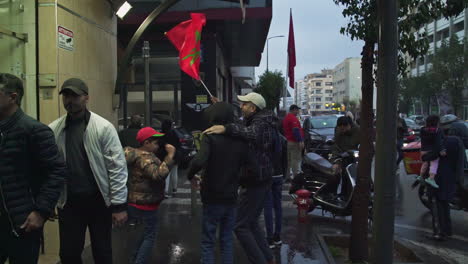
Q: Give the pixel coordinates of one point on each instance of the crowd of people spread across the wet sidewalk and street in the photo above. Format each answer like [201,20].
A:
[78,165]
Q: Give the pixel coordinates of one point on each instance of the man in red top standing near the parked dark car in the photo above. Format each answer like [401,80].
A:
[295,136]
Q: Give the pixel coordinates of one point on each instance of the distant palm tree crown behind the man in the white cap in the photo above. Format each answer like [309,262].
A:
[270,86]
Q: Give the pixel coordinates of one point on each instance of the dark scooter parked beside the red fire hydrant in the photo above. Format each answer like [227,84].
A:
[316,171]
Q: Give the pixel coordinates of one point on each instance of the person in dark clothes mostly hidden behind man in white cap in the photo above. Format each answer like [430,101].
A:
[273,205]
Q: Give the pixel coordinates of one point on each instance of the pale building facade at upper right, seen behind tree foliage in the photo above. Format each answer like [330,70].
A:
[437,32]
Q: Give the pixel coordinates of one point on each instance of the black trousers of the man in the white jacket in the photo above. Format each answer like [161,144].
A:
[74,219]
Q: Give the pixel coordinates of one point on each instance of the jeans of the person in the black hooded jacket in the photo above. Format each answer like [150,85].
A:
[223,216]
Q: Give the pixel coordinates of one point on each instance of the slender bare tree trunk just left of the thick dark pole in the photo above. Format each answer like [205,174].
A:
[358,244]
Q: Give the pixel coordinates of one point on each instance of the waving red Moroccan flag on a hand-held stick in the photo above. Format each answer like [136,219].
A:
[186,37]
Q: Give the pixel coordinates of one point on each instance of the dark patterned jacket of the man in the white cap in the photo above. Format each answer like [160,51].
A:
[259,131]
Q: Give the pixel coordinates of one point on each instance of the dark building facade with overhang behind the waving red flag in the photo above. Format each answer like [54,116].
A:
[227,59]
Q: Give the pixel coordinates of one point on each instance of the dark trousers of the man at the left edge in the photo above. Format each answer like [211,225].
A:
[18,250]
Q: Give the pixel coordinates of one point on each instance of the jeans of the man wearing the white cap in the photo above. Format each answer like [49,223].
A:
[248,232]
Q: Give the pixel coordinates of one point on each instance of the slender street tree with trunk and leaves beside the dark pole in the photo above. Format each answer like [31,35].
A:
[363,25]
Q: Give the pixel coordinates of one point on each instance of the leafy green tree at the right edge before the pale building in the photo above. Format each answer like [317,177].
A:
[449,70]
